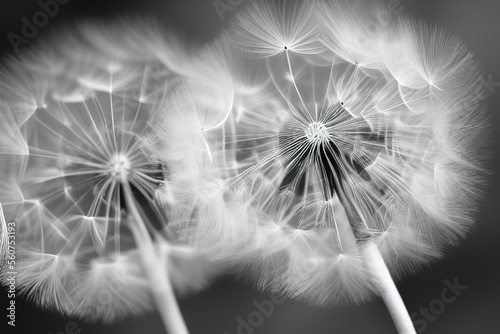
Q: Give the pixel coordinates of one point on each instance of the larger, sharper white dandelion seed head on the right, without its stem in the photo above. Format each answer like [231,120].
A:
[360,137]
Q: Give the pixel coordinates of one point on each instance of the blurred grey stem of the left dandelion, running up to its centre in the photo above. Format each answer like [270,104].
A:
[161,287]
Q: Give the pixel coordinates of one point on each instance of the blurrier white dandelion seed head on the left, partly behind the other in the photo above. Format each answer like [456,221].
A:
[74,142]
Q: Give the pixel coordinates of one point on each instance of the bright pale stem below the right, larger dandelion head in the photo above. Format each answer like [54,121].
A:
[388,290]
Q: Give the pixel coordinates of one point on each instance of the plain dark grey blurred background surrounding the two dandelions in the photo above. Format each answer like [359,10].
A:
[475,262]
